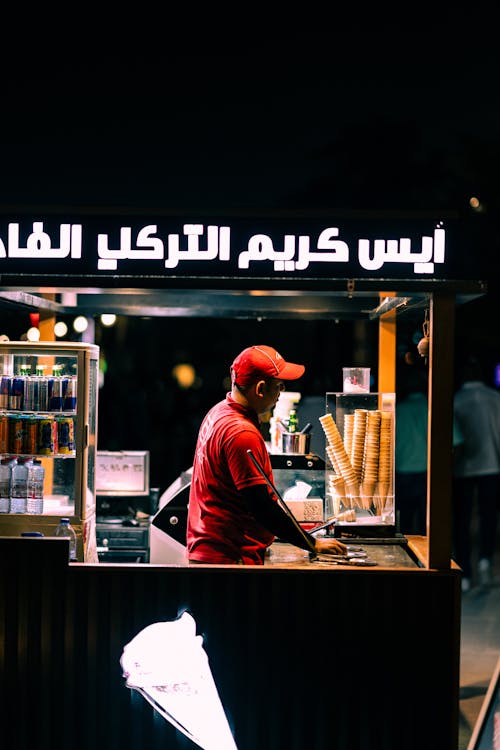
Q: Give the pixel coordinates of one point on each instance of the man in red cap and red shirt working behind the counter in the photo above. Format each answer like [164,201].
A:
[233,517]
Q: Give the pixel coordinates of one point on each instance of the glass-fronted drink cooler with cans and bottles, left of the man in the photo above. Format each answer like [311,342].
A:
[48,413]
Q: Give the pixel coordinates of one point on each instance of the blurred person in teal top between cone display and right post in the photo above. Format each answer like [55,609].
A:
[412,410]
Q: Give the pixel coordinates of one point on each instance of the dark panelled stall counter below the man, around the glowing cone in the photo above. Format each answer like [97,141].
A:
[302,655]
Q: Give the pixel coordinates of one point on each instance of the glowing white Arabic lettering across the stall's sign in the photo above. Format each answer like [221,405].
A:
[199,243]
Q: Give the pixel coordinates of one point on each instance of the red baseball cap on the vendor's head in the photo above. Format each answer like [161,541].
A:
[262,362]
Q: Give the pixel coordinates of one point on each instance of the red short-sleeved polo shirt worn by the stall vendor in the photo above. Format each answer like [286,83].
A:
[220,529]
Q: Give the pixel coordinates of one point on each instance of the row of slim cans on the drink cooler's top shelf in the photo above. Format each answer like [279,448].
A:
[35,393]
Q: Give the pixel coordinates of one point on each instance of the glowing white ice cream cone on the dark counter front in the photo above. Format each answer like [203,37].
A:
[167,665]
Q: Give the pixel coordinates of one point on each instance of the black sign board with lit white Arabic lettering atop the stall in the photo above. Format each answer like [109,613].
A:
[166,249]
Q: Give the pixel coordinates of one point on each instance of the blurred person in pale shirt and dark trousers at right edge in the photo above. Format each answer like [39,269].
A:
[476,472]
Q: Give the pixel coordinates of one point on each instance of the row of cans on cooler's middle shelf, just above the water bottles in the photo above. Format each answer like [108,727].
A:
[40,435]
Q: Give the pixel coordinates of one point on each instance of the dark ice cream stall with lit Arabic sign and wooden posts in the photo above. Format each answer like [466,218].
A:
[298,652]
